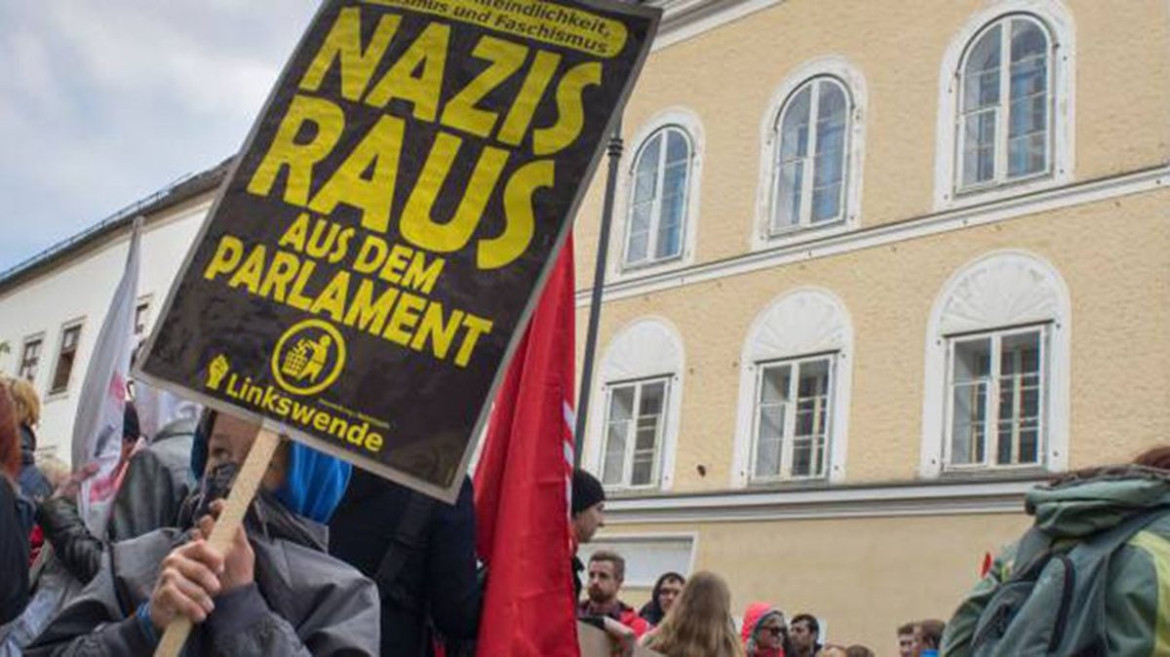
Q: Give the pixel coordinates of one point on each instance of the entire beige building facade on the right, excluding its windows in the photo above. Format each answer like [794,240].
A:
[1103,229]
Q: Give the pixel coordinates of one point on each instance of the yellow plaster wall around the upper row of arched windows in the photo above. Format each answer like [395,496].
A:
[728,77]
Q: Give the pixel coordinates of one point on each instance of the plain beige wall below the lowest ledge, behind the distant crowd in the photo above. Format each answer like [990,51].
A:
[864,576]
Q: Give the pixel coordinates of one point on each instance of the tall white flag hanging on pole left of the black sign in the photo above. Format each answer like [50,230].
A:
[98,428]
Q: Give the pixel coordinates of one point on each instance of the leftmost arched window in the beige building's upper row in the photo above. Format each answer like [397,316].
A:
[659,198]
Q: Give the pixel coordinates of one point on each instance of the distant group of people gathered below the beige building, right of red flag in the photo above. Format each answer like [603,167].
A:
[693,617]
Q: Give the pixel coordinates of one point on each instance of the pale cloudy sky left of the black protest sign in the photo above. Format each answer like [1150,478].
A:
[104,103]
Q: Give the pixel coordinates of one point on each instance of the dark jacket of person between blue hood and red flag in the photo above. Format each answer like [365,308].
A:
[438,582]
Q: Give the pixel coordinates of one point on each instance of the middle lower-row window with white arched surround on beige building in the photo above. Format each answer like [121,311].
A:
[796,374]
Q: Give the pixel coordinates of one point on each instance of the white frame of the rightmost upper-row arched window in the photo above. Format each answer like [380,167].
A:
[1000,177]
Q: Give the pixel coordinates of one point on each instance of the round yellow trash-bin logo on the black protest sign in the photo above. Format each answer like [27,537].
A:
[309,357]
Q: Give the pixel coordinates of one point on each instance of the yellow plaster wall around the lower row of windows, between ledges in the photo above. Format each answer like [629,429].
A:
[1111,254]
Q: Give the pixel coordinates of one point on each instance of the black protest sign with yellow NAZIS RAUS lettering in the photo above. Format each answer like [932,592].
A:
[373,257]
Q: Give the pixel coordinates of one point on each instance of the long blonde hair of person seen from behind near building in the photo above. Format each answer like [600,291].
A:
[700,624]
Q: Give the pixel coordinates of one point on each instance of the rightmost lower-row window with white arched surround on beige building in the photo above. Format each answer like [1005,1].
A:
[997,362]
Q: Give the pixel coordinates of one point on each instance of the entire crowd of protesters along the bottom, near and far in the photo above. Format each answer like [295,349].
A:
[401,576]
